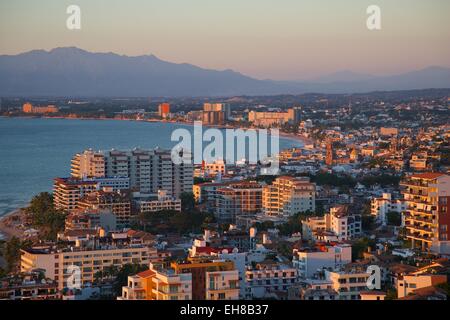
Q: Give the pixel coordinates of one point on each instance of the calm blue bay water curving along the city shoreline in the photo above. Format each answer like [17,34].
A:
[33,151]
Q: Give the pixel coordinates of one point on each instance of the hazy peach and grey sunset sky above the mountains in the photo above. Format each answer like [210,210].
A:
[265,39]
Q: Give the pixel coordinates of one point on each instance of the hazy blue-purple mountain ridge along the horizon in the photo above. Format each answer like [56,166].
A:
[75,72]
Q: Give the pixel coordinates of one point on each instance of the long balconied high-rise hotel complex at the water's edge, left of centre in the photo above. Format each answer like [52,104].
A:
[145,171]
